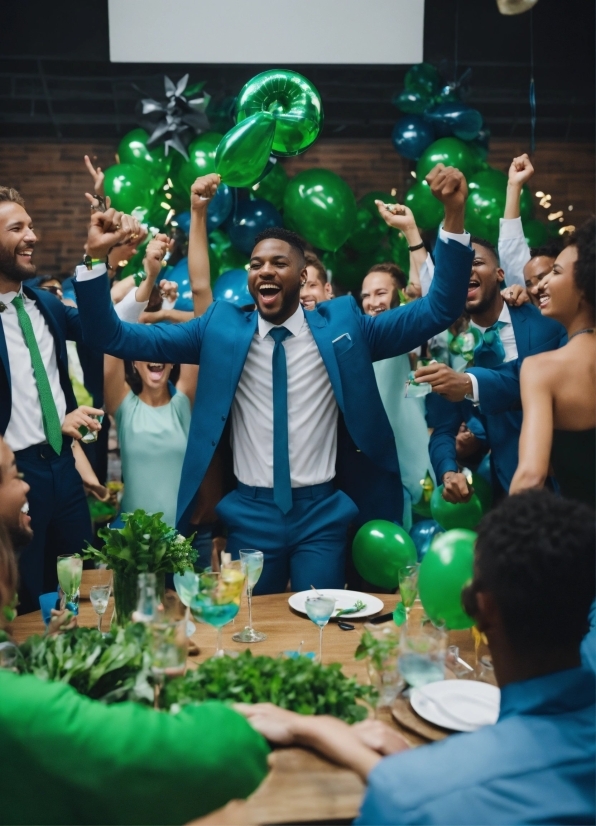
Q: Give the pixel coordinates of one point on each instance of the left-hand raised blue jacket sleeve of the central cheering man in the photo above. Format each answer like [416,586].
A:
[103,330]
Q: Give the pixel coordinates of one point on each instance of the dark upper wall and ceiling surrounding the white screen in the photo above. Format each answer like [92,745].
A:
[56,80]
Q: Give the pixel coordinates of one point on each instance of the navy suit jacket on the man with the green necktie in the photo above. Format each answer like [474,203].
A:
[64,324]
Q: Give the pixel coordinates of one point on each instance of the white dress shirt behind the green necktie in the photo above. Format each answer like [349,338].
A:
[25,427]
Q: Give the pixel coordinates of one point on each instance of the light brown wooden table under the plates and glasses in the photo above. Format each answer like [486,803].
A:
[301,786]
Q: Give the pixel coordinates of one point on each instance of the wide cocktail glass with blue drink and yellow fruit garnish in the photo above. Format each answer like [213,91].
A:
[217,600]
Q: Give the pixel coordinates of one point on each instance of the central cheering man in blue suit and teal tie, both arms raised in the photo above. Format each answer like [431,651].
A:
[311,444]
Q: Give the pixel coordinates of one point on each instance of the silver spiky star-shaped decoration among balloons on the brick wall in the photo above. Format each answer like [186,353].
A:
[181,116]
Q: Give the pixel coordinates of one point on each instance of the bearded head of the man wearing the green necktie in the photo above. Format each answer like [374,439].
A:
[17,241]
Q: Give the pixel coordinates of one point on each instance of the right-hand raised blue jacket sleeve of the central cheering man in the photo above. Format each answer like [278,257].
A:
[405,328]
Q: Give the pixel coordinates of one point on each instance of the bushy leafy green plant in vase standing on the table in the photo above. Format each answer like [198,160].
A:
[144,545]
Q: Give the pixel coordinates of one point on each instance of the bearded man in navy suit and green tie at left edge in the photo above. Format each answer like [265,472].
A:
[35,399]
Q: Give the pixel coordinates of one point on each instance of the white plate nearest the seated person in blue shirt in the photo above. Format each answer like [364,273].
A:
[460,705]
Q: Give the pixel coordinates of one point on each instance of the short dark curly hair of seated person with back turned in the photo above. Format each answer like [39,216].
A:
[536,554]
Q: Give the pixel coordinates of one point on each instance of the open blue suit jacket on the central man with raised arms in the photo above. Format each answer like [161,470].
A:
[367,464]
